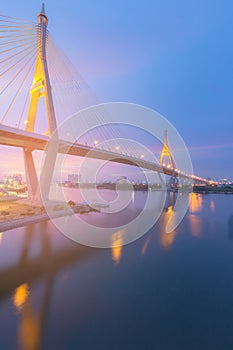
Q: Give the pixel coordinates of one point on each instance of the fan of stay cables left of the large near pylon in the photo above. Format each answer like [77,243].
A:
[18,53]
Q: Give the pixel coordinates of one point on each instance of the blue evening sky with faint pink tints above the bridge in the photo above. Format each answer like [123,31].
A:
[174,56]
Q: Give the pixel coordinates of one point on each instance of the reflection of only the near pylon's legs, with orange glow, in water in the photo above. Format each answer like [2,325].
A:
[32,320]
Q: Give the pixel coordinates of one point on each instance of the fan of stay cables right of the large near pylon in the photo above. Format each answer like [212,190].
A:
[72,94]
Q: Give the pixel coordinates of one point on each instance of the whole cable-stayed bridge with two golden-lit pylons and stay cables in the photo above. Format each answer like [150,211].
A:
[32,70]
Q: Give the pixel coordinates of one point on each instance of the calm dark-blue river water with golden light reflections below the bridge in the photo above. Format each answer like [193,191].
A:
[162,292]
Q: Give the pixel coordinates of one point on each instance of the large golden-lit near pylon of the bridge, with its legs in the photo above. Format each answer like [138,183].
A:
[41,88]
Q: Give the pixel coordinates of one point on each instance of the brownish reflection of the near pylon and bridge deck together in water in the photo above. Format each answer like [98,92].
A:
[32,267]
